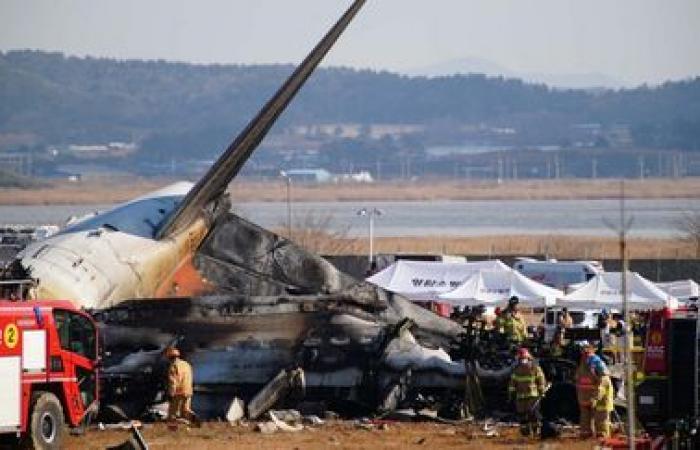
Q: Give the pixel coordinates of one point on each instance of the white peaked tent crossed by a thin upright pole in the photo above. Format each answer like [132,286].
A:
[605,291]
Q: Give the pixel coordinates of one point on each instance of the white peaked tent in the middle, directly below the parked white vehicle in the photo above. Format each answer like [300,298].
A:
[488,286]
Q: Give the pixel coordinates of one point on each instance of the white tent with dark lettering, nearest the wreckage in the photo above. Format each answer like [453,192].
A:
[426,280]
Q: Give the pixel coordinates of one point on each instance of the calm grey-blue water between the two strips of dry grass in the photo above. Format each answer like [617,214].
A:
[651,218]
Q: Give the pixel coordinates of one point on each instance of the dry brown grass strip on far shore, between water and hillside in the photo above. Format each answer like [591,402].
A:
[117,190]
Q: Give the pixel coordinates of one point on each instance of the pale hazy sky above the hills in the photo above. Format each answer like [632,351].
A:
[634,40]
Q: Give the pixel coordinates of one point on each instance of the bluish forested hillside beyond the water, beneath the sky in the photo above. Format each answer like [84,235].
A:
[85,100]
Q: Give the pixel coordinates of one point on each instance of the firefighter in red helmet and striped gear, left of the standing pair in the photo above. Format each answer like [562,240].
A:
[527,386]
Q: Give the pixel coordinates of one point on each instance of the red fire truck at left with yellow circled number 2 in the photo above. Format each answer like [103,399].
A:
[48,369]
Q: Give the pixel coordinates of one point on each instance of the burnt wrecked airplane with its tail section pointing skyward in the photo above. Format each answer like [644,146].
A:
[246,306]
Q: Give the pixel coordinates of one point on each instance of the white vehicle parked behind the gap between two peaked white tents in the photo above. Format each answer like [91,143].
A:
[564,275]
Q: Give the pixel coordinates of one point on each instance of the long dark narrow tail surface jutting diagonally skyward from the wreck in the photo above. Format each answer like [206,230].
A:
[215,181]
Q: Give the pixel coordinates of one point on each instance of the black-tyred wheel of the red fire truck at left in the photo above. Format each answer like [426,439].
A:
[46,423]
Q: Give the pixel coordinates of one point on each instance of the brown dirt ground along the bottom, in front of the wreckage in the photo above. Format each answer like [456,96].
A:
[335,435]
